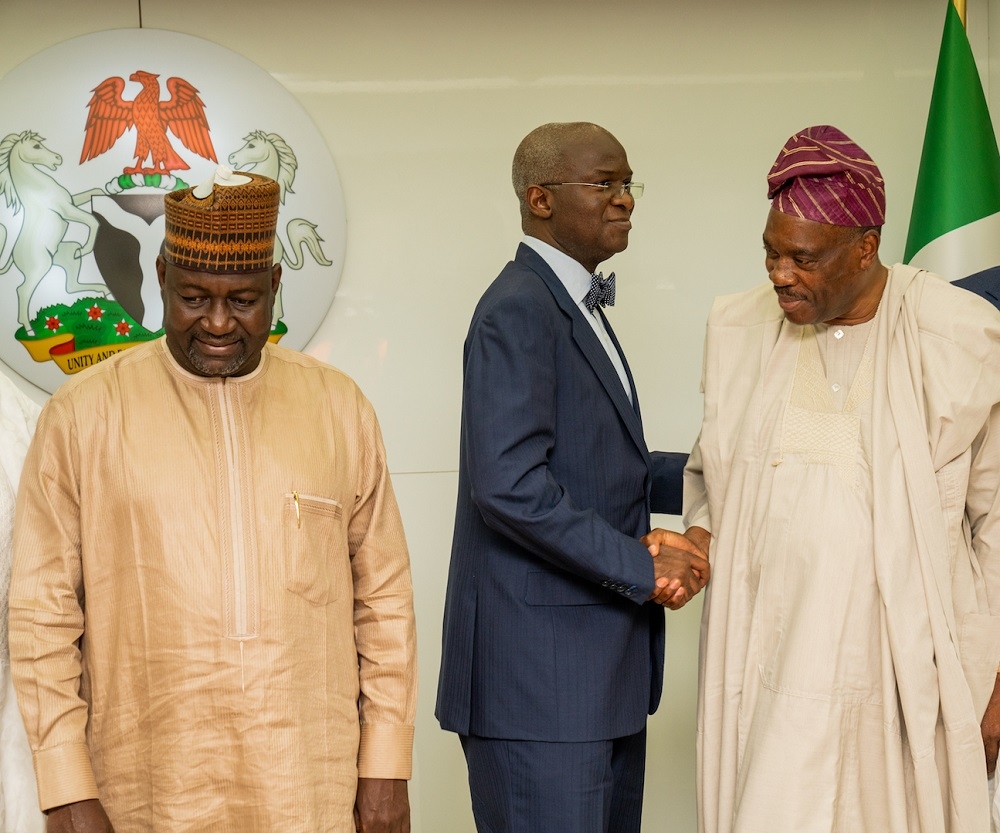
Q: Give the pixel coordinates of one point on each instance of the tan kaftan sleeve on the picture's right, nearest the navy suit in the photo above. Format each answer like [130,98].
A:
[385,630]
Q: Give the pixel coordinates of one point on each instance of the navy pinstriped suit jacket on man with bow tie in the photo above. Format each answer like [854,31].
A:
[547,635]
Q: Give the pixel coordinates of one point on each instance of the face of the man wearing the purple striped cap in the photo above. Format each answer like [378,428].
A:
[823,273]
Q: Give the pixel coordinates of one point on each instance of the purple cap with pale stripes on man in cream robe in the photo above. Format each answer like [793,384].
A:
[822,175]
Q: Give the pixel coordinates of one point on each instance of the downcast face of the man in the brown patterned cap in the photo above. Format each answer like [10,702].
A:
[216,324]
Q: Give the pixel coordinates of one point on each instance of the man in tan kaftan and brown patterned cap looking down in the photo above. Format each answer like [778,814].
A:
[211,611]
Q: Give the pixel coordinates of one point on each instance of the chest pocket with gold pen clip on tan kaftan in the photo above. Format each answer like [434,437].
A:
[315,544]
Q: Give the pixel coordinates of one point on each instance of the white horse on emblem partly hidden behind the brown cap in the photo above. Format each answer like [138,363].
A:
[268,154]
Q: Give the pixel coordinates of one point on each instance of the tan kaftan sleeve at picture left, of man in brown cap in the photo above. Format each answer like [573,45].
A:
[46,612]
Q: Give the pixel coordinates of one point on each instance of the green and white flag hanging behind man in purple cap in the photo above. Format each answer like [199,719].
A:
[955,221]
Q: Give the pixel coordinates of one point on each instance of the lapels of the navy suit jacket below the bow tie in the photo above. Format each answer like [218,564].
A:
[591,347]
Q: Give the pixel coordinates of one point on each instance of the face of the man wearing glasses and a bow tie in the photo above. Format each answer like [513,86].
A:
[588,224]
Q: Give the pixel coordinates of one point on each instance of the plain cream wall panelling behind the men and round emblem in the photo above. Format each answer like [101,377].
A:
[422,105]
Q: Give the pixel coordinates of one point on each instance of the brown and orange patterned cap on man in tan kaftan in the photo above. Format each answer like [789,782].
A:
[226,224]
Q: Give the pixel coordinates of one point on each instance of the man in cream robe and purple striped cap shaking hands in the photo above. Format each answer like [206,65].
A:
[847,470]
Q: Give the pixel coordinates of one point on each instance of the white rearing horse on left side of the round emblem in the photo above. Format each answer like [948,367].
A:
[48,210]
